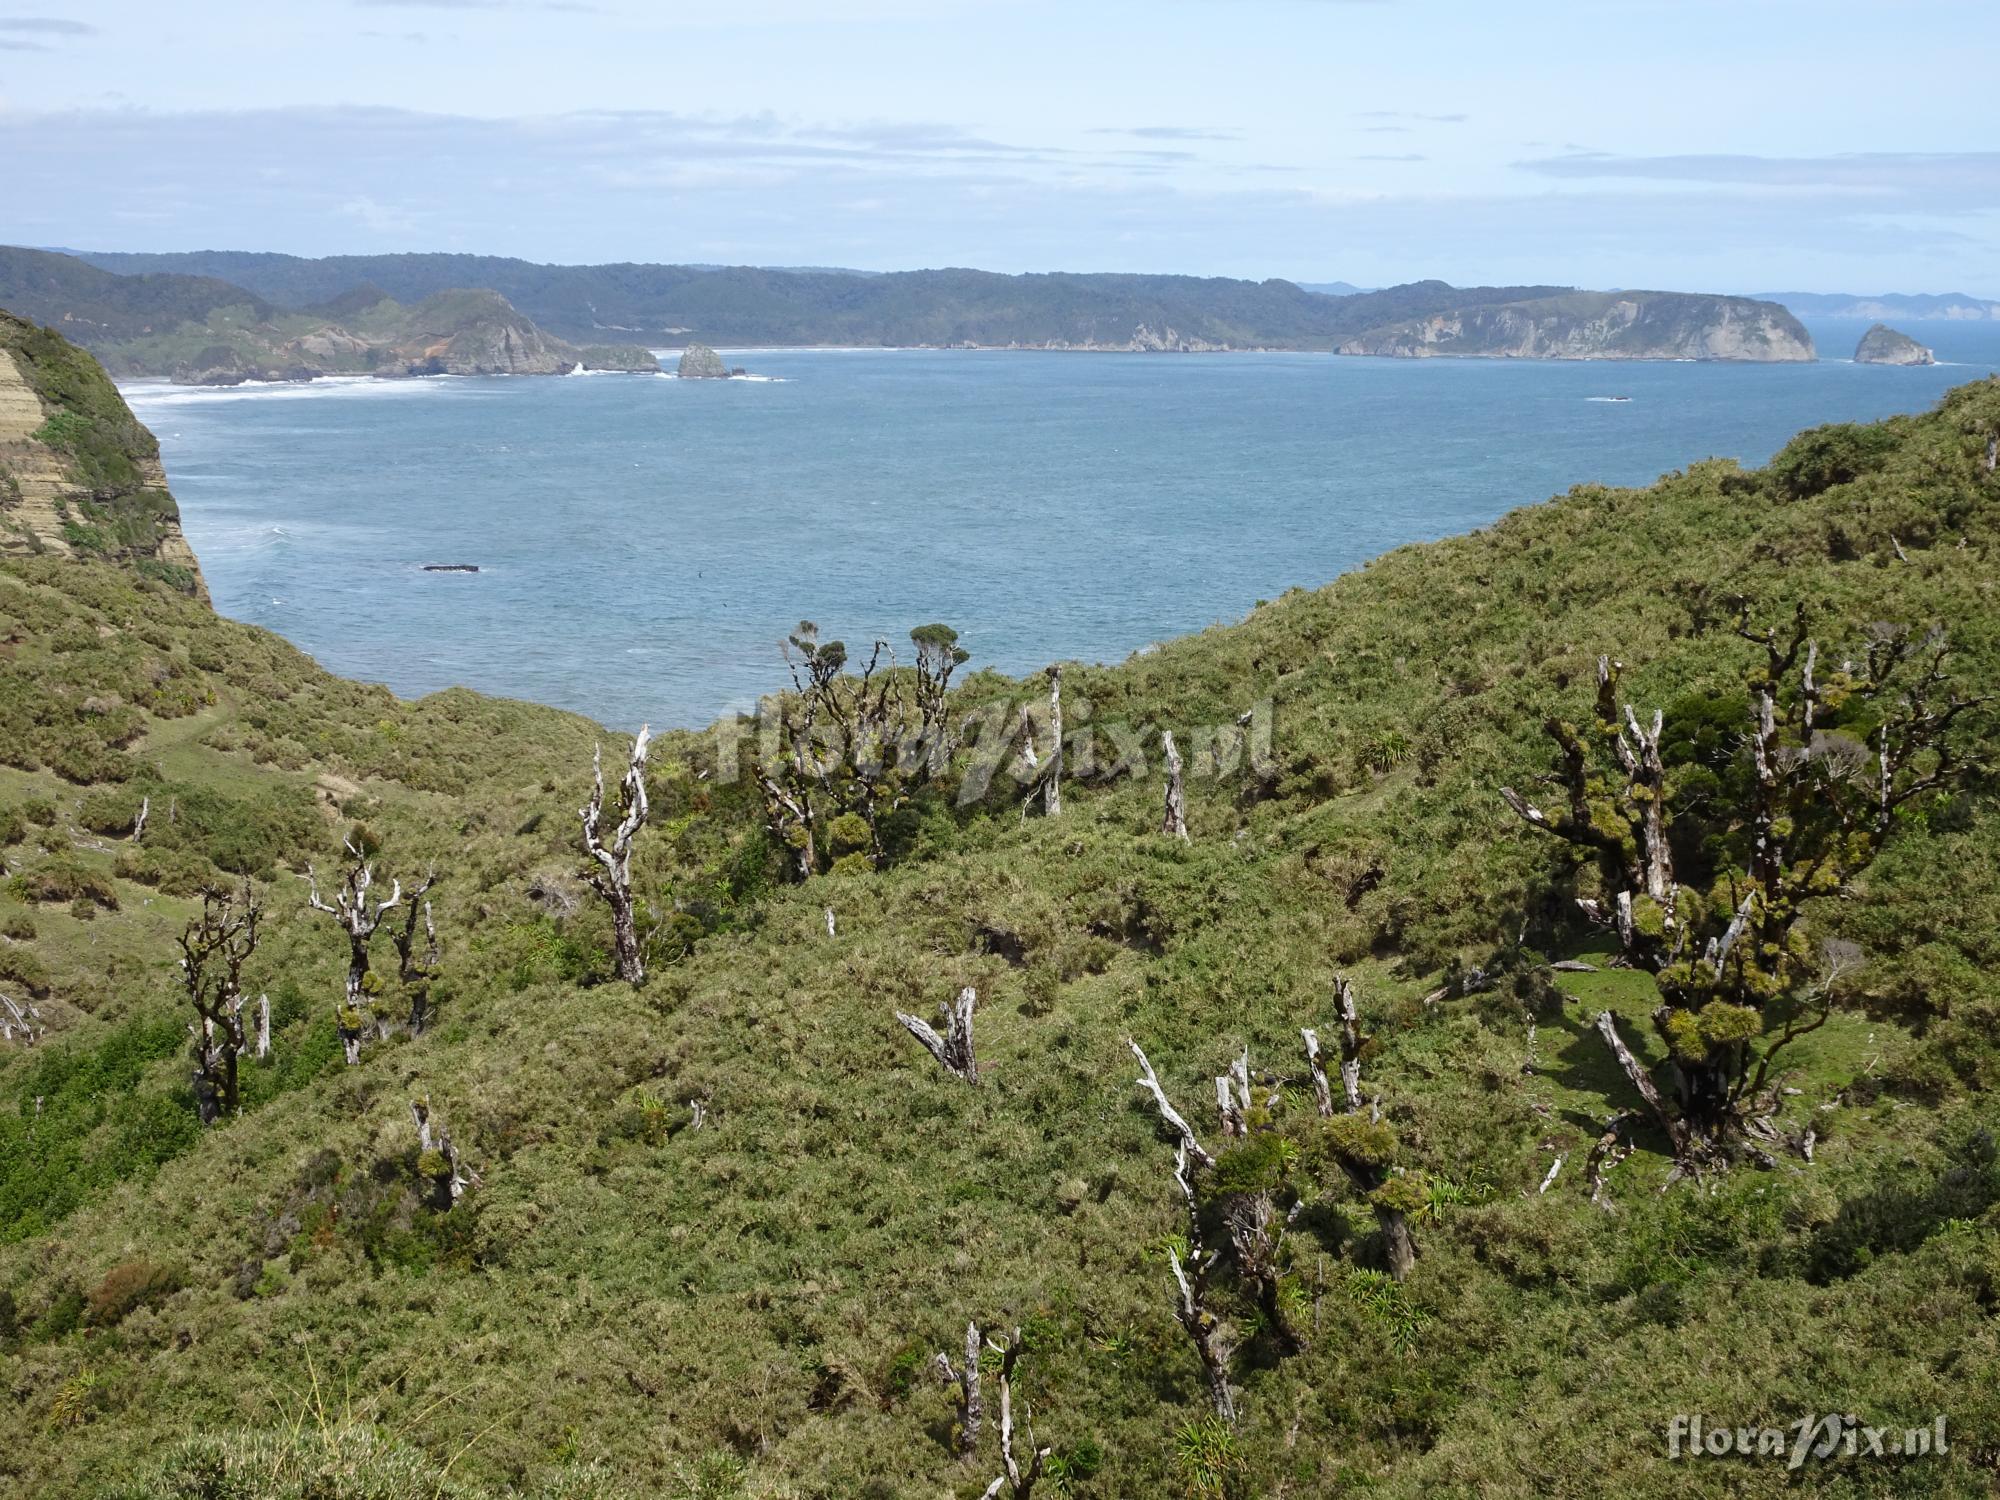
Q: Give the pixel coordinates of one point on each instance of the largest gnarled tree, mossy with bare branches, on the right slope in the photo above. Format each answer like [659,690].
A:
[1819,805]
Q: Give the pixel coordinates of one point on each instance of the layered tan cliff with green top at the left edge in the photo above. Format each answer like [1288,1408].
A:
[79,475]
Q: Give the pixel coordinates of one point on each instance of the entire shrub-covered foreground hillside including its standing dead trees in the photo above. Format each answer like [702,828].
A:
[553,1233]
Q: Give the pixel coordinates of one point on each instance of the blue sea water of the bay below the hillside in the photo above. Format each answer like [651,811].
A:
[647,543]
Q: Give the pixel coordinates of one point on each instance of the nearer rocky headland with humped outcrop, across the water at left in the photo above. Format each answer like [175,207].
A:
[203,331]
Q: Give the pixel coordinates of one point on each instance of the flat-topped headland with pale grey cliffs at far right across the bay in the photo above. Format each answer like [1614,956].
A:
[1601,327]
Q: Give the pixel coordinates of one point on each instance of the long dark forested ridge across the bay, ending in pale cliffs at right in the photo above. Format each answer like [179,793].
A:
[949,309]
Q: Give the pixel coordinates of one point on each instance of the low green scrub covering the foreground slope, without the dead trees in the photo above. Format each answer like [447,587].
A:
[633,1293]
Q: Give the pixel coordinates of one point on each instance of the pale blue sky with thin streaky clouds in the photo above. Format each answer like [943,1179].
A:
[1745,147]
